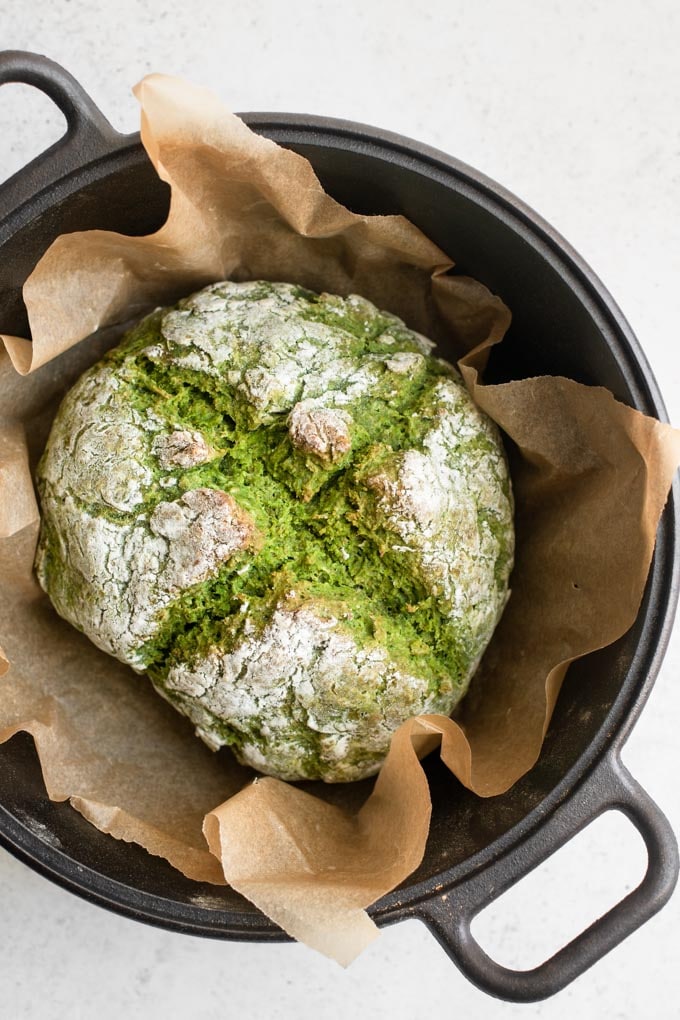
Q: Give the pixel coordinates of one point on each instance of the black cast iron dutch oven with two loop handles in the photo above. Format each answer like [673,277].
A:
[564,323]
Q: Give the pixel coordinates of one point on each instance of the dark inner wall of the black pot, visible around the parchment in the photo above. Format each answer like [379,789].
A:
[557,334]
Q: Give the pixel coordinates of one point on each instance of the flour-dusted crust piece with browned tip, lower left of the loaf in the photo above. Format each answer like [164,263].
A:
[128,573]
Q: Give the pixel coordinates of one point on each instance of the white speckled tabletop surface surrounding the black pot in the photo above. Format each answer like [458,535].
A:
[573,107]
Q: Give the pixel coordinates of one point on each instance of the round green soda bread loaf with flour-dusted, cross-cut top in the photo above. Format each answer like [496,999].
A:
[289,515]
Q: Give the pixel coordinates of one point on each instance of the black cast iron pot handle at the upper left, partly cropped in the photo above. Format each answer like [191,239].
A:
[89,135]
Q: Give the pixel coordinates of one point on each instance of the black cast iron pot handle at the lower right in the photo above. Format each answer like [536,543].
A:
[450,915]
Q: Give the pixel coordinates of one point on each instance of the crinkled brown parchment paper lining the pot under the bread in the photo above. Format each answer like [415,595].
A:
[591,479]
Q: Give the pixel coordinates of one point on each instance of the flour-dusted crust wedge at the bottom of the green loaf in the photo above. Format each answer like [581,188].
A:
[302,650]
